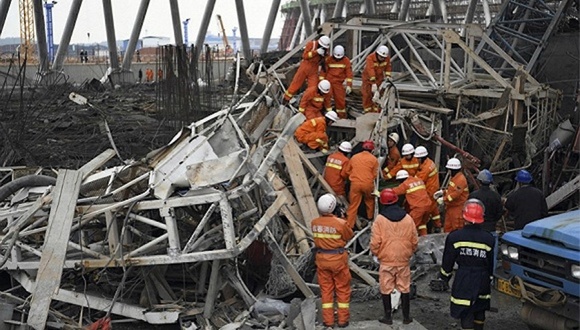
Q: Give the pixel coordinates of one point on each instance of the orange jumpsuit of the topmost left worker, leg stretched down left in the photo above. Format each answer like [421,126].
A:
[308,70]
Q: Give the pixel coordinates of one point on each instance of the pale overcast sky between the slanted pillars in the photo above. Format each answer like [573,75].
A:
[157,21]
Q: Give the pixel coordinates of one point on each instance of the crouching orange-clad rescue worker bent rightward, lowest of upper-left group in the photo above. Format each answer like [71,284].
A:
[313,132]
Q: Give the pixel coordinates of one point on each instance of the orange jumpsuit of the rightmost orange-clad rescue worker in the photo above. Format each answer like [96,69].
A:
[454,197]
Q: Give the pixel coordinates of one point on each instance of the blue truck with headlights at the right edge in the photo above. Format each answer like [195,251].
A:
[541,264]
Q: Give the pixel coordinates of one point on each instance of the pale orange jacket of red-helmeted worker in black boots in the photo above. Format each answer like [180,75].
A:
[393,242]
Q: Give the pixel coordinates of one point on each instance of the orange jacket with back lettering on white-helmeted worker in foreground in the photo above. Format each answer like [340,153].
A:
[330,233]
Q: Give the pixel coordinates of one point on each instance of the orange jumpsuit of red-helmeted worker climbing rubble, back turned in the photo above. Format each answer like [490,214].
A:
[362,170]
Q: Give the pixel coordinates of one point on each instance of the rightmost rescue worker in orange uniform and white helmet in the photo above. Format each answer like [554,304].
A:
[454,196]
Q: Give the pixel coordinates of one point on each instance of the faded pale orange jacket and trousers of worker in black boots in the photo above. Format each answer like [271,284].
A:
[394,242]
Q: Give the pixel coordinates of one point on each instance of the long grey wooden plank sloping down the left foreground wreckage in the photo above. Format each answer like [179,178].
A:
[66,192]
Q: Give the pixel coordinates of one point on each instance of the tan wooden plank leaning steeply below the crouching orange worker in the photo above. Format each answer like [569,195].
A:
[300,183]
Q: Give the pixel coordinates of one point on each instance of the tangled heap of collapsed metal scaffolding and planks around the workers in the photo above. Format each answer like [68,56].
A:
[212,230]
